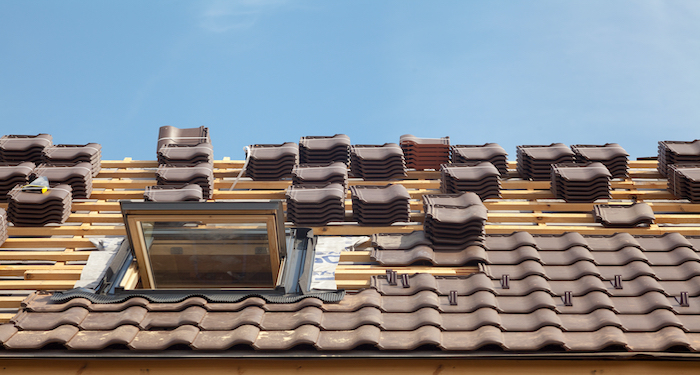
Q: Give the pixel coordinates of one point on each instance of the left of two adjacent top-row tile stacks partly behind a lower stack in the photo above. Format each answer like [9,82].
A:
[534,162]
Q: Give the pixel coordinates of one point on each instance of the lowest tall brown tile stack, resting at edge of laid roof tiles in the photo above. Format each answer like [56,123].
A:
[454,222]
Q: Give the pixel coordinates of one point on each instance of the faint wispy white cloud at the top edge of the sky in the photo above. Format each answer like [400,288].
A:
[220,16]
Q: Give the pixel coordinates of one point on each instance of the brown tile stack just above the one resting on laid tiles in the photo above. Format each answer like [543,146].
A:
[481,178]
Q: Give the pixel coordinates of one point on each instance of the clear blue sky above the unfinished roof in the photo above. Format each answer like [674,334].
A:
[270,71]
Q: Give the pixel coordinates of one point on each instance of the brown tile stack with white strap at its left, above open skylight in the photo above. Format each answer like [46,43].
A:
[272,162]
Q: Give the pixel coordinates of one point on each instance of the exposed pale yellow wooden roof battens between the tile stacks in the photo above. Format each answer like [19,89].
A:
[524,206]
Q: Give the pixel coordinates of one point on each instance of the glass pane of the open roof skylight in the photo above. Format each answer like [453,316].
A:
[185,254]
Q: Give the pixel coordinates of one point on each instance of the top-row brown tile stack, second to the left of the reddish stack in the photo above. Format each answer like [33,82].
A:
[320,149]
